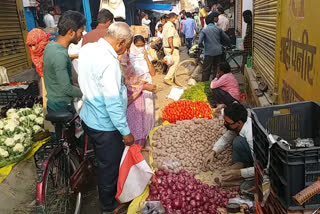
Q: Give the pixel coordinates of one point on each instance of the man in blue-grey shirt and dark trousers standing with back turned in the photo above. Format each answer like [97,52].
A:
[213,38]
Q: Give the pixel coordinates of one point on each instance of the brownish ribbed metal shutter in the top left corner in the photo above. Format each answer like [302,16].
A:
[13,52]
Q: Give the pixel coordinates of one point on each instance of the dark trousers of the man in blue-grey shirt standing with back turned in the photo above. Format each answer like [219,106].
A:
[210,64]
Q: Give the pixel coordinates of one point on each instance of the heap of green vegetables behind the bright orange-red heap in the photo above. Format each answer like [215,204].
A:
[198,92]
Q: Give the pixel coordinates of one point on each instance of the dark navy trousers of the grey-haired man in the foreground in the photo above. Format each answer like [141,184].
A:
[108,147]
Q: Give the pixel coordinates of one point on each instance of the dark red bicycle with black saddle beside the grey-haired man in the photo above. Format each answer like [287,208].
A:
[64,170]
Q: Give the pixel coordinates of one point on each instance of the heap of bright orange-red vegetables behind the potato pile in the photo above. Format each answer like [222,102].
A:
[186,110]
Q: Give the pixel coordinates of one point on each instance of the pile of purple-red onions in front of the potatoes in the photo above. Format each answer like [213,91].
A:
[181,193]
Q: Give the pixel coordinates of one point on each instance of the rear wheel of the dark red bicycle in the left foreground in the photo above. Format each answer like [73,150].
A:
[59,198]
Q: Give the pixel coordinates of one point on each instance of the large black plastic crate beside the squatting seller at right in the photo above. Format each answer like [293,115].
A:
[291,169]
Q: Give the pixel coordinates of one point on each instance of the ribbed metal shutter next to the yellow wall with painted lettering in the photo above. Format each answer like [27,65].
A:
[264,40]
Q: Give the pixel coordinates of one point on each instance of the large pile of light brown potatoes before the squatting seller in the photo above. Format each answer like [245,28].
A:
[186,144]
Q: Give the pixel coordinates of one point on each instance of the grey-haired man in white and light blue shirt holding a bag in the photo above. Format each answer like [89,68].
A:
[104,110]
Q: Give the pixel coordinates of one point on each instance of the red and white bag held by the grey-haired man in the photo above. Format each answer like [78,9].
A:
[134,174]
